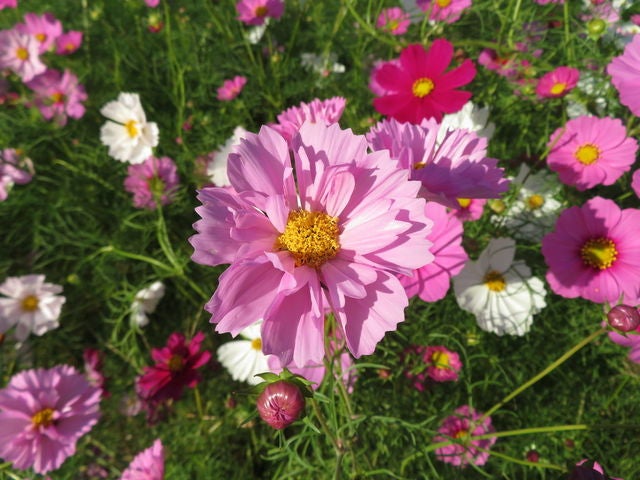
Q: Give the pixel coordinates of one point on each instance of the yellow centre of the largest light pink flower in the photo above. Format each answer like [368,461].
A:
[312,238]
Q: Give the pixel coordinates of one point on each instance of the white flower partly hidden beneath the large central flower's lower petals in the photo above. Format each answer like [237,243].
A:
[244,358]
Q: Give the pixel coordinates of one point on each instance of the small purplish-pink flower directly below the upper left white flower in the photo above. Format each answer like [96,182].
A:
[152,181]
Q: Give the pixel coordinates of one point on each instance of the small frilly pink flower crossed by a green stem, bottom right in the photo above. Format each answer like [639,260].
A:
[464,423]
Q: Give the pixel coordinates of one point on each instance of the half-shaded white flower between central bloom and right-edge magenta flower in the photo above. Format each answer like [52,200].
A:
[499,291]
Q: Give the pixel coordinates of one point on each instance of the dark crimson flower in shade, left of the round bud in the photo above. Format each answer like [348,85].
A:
[175,368]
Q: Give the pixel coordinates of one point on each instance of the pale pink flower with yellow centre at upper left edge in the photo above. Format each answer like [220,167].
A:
[19,53]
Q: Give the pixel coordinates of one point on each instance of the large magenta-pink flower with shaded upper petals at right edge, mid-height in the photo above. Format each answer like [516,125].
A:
[594,252]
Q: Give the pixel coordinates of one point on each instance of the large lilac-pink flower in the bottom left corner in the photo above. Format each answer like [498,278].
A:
[43,413]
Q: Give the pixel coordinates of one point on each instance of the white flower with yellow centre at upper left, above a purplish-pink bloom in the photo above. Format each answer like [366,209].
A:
[128,135]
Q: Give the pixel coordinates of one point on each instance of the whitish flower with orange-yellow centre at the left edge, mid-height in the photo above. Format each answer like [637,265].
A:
[32,305]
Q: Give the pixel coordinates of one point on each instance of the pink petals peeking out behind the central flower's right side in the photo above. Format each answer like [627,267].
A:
[432,281]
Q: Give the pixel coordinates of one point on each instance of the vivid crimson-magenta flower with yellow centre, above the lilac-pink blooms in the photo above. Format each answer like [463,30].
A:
[417,86]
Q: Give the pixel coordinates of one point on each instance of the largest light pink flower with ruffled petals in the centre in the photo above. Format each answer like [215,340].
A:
[304,229]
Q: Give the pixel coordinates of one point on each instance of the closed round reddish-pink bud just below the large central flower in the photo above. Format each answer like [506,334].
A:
[280,404]
